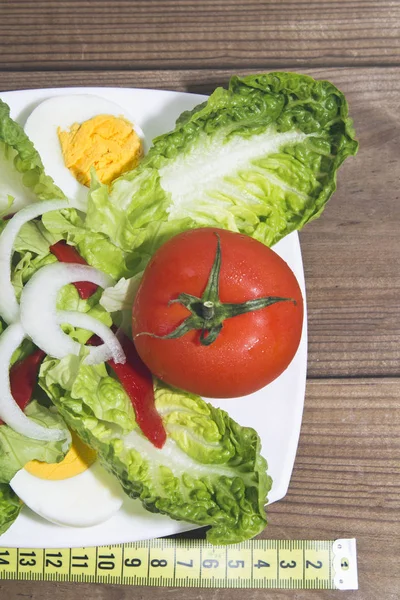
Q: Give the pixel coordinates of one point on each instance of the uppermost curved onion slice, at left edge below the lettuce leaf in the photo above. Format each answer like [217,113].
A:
[9,308]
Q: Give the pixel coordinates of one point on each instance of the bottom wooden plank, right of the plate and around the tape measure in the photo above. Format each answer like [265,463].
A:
[346,483]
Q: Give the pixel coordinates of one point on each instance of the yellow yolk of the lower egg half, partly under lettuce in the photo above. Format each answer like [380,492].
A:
[77,460]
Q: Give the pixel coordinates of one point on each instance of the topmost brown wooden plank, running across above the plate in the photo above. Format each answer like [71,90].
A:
[166,34]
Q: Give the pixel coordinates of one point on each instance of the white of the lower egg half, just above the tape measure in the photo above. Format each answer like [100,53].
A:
[87,499]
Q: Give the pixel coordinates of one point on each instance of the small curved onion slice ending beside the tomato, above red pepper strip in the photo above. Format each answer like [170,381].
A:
[110,349]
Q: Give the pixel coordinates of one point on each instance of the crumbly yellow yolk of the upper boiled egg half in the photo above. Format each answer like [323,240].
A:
[107,143]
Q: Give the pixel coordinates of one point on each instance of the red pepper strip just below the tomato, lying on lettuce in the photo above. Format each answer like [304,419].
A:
[137,382]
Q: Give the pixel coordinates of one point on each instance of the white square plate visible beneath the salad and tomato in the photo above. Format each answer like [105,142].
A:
[275,411]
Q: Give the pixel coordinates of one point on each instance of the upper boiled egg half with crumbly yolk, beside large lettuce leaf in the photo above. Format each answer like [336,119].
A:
[77,132]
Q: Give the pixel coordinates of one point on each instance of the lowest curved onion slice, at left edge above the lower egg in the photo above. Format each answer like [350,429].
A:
[10,412]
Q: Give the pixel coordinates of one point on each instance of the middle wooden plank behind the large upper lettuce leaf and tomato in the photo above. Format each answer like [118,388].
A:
[351,254]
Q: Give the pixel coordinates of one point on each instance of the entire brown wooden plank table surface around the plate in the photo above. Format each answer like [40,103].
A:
[346,477]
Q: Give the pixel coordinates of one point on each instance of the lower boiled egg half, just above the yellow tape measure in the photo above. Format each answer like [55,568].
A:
[77,492]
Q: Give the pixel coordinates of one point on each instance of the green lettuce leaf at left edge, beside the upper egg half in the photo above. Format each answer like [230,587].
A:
[22,176]
